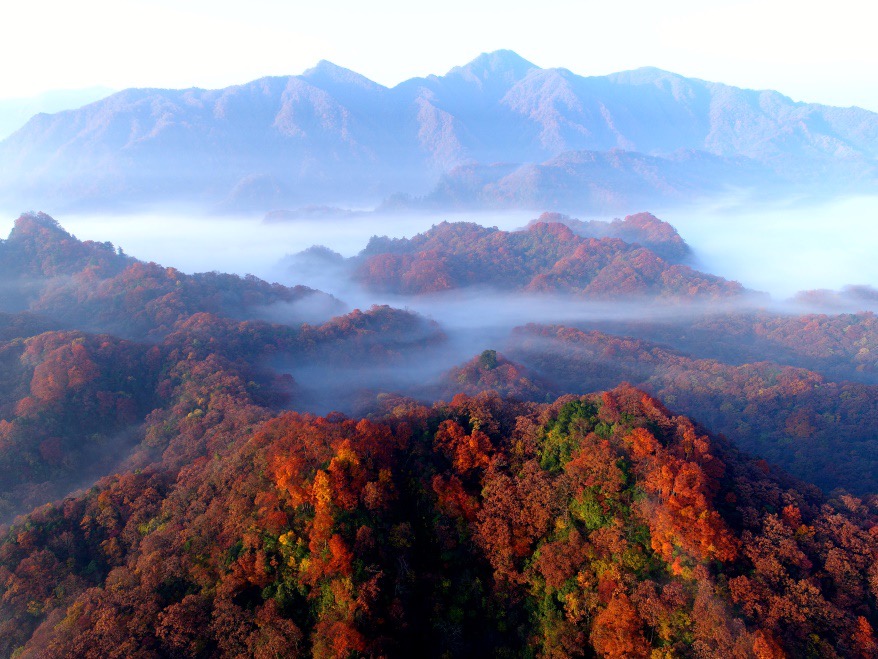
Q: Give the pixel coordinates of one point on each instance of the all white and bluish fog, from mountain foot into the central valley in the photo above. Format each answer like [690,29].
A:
[779,249]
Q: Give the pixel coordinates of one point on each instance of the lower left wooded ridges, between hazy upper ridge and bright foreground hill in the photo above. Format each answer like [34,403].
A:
[73,405]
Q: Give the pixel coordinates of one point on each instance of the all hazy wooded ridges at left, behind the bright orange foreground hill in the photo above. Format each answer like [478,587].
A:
[73,404]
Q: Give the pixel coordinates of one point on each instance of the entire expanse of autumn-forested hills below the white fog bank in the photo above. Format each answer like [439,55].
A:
[210,465]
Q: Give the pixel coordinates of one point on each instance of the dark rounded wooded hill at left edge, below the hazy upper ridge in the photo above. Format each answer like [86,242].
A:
[69,403]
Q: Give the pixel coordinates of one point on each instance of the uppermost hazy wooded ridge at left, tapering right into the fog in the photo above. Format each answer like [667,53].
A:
[92,286]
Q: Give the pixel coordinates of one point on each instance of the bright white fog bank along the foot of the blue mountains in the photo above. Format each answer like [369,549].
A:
[779,248]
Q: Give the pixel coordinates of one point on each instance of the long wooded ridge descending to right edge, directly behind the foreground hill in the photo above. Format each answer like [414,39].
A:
[821,431]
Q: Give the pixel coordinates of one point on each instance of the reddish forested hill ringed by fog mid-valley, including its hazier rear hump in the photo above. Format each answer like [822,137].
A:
[555,255]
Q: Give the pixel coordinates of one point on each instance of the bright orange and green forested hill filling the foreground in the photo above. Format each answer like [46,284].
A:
[599,524]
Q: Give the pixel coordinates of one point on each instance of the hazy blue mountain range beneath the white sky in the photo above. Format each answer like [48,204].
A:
[497,132]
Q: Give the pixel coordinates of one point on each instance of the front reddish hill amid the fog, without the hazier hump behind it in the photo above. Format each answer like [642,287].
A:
[545,257]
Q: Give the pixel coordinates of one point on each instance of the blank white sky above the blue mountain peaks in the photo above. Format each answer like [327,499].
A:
[813,51]
